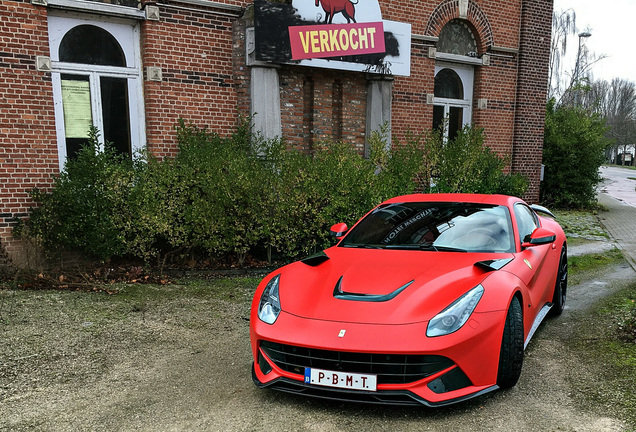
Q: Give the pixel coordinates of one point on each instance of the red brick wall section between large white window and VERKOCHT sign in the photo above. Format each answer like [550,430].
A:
[193,47]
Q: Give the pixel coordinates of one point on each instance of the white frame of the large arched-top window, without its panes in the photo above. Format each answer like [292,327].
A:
[127,34]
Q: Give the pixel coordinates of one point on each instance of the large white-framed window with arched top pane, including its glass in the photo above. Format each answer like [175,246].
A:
[96,82]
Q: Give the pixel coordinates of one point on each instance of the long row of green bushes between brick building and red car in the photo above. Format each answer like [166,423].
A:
[226,196]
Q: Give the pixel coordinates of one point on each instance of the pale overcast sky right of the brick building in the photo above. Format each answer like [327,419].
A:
[612,24]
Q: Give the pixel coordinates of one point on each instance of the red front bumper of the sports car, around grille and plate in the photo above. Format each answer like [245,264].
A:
[472,353]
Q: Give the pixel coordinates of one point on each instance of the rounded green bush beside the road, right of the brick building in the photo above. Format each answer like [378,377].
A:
[573,150]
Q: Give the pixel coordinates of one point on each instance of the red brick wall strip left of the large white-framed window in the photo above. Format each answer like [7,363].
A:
[28,149]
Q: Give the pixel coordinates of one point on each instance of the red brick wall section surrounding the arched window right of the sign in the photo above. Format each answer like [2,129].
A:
[493,25]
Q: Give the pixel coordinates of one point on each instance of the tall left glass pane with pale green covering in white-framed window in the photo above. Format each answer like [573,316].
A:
[78,118]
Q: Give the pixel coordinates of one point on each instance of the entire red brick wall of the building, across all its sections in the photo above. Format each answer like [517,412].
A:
[201,51]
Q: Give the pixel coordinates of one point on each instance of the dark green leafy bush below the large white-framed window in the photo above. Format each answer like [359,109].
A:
[88,206]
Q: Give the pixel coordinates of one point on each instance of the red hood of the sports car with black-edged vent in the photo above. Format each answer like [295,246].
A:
[379,286]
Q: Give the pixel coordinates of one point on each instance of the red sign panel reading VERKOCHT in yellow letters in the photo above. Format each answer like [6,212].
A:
[328,40]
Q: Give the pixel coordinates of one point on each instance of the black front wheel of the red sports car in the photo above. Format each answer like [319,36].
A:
[511,354]
